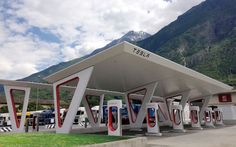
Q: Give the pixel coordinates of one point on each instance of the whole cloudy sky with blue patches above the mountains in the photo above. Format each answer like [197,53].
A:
[35,34]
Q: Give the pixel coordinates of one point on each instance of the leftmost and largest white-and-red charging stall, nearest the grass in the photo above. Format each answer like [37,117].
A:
[114,117]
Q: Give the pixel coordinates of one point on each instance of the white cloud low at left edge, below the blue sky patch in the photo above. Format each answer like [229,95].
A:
[20,56]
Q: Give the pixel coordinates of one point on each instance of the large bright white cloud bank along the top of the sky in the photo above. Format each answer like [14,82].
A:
[111,18]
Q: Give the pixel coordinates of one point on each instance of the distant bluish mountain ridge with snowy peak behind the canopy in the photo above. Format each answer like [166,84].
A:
[131,36]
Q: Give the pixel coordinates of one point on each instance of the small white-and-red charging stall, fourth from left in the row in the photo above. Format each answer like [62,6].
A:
[195,117]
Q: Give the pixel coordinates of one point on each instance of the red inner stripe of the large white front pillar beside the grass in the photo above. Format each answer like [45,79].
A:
[59,123]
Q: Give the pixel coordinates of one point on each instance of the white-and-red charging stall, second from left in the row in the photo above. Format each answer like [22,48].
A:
[152,119]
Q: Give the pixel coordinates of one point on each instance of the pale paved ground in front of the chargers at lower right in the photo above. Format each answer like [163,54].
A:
[215,137]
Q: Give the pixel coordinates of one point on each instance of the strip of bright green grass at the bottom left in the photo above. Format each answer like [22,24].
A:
[53,140]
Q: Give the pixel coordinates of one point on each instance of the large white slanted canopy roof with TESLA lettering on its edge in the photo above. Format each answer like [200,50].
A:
[125,66]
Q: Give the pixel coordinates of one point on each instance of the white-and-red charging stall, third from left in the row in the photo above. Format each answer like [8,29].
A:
[177,118]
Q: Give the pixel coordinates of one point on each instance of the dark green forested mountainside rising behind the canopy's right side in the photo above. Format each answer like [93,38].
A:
[203,39]
